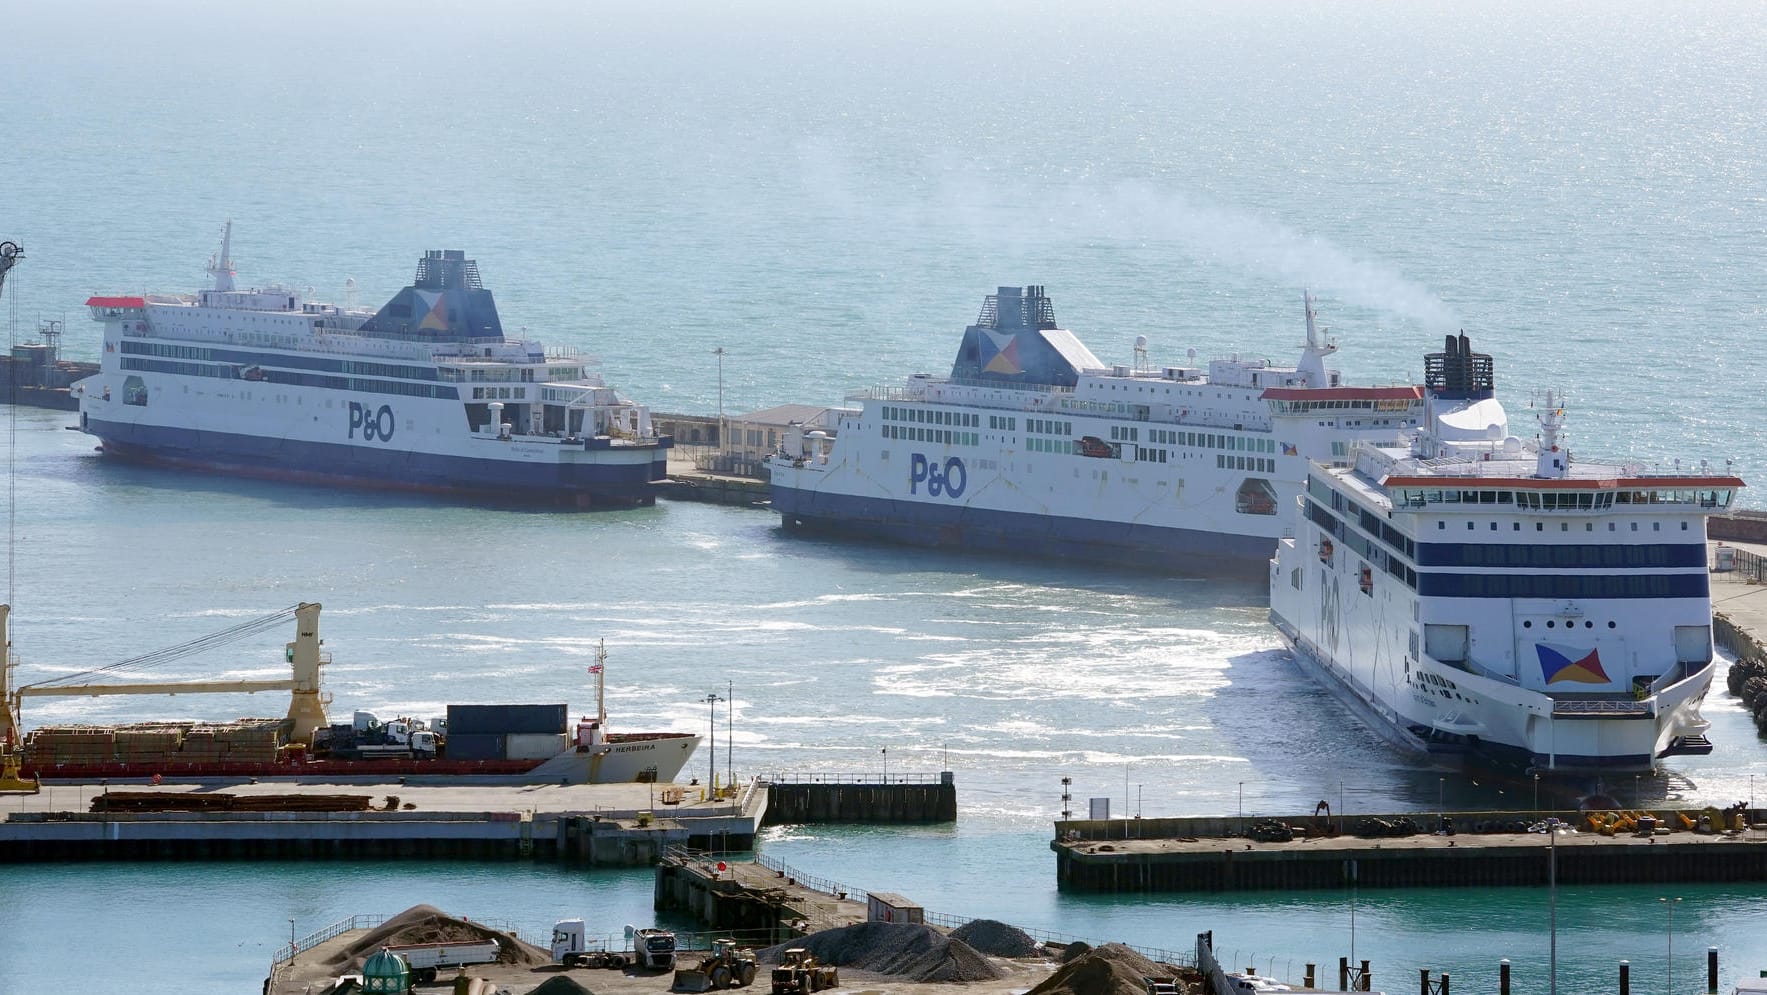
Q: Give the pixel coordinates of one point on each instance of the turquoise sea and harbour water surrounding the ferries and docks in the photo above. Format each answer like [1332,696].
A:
[828,192]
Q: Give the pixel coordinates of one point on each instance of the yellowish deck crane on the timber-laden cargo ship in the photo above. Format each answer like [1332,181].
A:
[307,708]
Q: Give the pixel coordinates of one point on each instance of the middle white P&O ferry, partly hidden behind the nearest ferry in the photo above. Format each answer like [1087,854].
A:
[1035,446]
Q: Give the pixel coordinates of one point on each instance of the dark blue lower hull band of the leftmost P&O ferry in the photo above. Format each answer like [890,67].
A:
[384,469]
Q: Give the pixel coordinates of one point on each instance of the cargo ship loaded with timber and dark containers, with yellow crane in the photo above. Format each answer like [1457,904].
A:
[519,743]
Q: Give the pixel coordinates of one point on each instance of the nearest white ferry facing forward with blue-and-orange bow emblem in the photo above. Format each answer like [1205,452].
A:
[1482,596]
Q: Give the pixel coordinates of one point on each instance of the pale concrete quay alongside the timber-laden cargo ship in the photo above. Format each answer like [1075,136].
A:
[579,824]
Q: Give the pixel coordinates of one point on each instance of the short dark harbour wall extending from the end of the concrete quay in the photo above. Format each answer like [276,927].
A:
[913,798]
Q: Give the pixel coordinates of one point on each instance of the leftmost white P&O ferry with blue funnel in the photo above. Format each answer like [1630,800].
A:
[423,395]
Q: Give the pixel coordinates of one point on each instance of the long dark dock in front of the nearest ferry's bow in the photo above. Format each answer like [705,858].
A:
[1206,854]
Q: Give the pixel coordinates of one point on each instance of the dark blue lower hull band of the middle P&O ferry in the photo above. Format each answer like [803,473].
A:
[1045,536]
